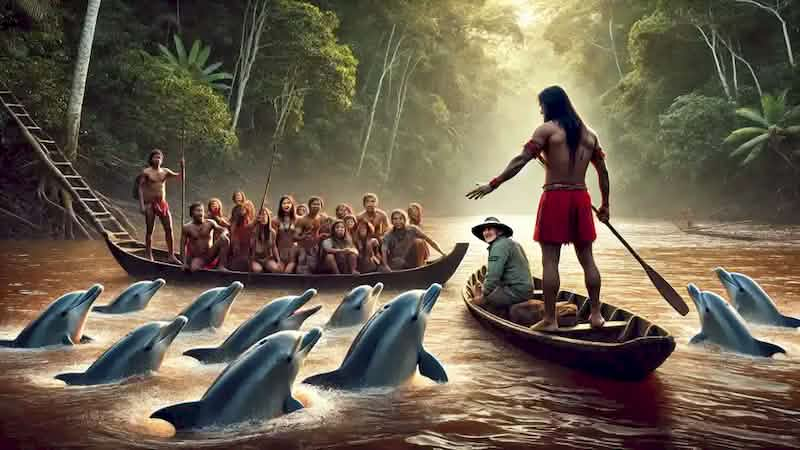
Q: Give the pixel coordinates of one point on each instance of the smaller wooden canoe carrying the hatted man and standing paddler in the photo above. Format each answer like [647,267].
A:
[628,347]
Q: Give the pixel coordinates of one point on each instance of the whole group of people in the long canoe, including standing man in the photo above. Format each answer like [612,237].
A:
[298,238]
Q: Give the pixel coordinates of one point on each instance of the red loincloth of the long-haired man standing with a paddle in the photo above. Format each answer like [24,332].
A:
[565,216]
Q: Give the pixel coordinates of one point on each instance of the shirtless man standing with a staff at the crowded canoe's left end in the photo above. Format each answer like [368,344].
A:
[153,201]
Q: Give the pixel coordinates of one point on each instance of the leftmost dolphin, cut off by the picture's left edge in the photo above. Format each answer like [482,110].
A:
[62,322]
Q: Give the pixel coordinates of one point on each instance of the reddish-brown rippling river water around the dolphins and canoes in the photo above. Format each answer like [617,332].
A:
[497,397]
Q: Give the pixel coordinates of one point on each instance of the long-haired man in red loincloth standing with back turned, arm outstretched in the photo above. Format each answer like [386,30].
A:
[567,147]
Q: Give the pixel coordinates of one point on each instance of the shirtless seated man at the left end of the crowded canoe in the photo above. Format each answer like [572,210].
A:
[197,250]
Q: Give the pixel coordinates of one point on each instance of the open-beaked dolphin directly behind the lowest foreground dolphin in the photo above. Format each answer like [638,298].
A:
[278,315]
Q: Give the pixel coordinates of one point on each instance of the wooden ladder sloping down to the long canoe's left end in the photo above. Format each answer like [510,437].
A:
[88,204]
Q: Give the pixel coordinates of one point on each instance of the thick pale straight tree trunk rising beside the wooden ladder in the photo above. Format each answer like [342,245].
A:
[79,79]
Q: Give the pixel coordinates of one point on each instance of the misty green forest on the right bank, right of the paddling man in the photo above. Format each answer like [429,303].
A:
[668,115]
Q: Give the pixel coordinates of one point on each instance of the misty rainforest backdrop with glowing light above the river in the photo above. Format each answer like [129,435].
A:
[696,101]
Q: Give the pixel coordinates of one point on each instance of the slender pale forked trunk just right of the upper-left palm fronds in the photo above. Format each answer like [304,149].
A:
[255,16]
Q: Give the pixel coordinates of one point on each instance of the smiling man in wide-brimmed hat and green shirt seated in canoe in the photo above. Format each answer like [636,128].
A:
[508,277]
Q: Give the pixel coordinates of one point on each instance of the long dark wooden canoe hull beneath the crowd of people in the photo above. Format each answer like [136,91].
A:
[130,256]
